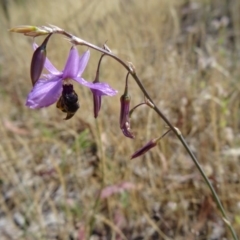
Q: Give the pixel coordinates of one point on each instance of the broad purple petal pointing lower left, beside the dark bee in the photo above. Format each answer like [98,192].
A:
[45,92]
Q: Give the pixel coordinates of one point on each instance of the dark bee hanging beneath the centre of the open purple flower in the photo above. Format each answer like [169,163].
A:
[68,102]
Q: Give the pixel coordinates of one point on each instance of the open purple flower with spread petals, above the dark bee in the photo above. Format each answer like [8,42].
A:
[48,89]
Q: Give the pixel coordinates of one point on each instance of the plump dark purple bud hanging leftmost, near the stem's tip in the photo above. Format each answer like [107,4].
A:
[38,60]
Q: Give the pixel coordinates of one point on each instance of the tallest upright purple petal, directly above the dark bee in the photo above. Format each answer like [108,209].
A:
[72,64]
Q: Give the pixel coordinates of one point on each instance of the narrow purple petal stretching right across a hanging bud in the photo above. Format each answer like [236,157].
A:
[103,88]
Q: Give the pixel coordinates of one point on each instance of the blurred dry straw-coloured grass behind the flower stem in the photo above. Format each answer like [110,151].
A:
[51,171]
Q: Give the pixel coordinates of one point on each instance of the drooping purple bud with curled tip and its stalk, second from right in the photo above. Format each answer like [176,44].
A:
[124,112]
